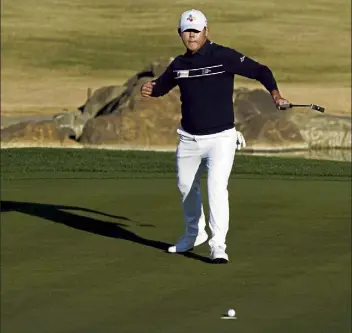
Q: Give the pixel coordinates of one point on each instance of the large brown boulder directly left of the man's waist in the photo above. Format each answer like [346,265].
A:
[154,123]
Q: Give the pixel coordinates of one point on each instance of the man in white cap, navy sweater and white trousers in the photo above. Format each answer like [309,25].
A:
[207,134]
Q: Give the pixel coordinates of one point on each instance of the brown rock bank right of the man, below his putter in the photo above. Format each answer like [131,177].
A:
[265,127]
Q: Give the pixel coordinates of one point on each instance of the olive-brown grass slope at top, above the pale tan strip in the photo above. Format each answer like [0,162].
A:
[300,41]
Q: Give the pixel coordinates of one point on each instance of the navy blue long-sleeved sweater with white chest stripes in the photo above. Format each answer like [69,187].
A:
[206,82]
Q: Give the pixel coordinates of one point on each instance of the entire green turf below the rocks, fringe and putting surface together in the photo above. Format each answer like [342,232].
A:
[84,251]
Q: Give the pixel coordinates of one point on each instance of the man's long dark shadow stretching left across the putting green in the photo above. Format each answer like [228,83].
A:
[58,214]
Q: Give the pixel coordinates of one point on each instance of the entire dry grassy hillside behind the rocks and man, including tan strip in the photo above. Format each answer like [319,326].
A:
[53,50]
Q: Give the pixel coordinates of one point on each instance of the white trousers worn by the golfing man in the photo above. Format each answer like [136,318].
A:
[216,153]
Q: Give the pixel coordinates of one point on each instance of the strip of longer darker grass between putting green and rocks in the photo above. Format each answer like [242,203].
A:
[88,163]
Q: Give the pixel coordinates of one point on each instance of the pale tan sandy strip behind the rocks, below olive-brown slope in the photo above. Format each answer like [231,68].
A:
[50,94]
